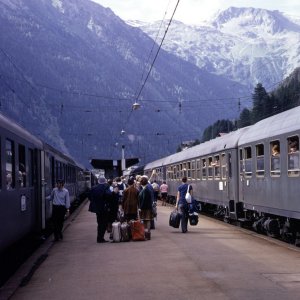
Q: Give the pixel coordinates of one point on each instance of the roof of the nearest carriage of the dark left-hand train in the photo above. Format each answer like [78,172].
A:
[18,130]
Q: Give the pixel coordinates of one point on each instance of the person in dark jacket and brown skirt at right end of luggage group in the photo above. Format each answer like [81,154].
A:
[145,206]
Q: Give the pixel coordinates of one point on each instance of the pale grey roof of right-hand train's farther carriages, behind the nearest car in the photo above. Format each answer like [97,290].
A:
[218,144]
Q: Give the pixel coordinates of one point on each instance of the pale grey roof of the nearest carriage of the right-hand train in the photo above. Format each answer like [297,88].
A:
[287,121]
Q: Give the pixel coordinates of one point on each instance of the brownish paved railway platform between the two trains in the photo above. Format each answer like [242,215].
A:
[212,261]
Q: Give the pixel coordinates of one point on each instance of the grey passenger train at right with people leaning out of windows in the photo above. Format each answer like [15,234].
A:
[241,177]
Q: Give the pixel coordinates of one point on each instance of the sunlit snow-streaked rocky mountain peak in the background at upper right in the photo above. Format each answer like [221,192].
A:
[246,45]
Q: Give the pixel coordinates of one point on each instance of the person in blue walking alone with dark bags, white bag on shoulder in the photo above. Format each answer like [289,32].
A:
[181,203]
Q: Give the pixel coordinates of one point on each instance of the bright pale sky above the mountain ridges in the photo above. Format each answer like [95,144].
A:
[190,11]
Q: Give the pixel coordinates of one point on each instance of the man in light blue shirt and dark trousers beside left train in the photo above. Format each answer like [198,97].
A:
[61,204]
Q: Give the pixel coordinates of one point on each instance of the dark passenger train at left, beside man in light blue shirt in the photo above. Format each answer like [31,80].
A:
[29,170]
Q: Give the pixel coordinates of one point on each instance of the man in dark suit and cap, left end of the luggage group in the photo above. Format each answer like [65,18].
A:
[100,197]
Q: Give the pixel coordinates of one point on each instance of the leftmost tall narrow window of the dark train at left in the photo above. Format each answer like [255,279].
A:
[10,164]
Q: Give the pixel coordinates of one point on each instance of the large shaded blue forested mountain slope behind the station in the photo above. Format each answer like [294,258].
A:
[70,70]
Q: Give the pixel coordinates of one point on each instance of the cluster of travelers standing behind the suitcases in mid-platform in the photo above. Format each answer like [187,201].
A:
[114,200]
